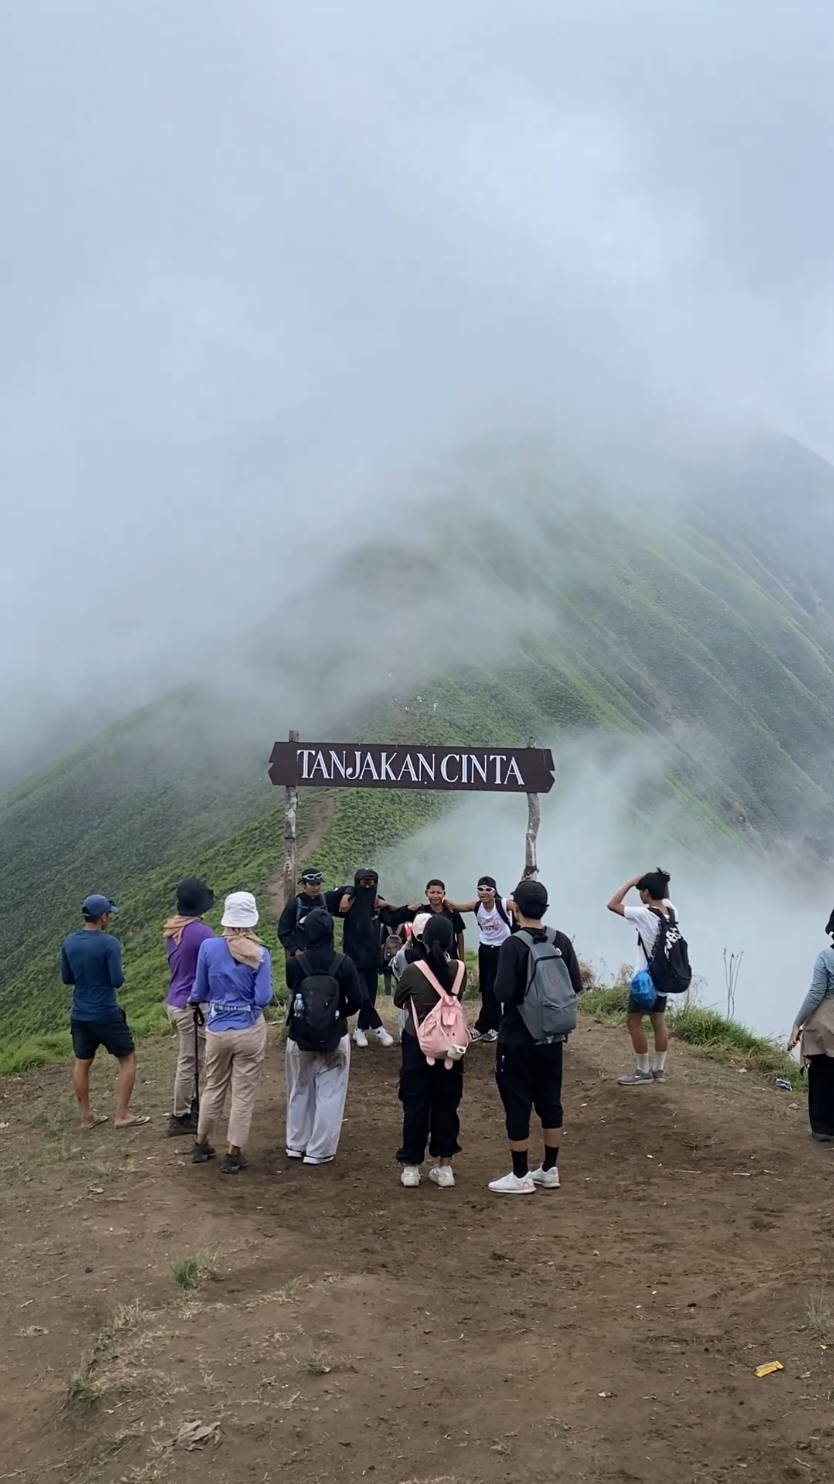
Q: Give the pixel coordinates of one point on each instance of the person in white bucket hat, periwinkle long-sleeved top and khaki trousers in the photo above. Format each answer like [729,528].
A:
[235,982]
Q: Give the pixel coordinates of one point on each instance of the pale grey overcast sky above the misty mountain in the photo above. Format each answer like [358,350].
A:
[265,266]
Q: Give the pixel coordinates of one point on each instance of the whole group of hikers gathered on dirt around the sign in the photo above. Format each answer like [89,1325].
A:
[529,982]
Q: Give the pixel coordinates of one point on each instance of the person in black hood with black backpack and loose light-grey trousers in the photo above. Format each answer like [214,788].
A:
[324,991]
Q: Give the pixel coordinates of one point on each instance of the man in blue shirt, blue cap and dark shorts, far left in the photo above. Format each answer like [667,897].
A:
[91,962]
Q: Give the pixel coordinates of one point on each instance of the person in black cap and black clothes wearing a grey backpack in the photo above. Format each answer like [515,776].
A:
[529,1071]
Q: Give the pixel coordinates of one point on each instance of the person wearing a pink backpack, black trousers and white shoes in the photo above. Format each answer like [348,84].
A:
[430,1091]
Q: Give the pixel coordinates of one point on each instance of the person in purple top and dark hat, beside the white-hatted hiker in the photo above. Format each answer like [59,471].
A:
[183,937]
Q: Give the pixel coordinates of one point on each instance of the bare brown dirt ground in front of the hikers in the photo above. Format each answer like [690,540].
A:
[347,1329]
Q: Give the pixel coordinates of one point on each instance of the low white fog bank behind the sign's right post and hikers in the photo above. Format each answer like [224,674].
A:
[594,839]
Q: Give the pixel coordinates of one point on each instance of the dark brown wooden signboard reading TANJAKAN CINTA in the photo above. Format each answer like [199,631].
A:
[470,769]
